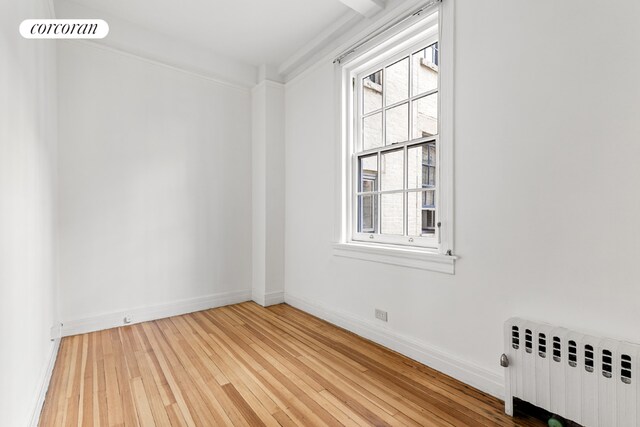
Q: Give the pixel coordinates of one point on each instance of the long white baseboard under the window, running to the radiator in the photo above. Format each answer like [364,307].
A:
[439,360]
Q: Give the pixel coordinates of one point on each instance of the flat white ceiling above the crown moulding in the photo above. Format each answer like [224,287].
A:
[255,32]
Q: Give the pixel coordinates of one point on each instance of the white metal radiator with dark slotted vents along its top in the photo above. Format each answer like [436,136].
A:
[590,380]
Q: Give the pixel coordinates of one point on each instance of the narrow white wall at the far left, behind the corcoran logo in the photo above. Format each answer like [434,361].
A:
[27,211]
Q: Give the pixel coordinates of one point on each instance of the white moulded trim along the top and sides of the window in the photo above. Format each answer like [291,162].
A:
[407,36]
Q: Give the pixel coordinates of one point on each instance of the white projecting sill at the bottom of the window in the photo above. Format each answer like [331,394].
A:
[423,259]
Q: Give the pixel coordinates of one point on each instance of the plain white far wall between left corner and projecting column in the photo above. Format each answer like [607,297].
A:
[155,185]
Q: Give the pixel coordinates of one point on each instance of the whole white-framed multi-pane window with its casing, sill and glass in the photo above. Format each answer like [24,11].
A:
[396,131]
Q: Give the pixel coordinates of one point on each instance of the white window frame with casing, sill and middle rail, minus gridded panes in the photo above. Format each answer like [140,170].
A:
[428,253]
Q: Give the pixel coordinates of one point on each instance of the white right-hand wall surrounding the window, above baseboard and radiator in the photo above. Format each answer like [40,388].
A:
[546,189]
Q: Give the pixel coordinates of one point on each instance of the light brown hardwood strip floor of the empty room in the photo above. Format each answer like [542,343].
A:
[247,365]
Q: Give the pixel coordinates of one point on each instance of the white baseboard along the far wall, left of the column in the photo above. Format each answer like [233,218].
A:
[144,314]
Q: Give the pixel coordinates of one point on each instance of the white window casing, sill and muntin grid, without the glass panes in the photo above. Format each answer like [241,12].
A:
[433,250]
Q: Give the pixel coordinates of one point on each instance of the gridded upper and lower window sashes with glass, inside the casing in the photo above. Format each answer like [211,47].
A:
[397,125]
